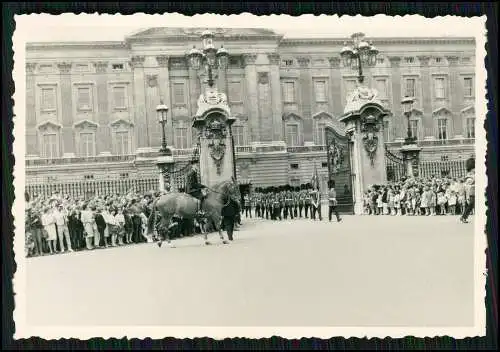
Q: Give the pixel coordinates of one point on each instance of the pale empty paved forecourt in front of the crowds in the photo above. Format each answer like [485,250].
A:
[365,271]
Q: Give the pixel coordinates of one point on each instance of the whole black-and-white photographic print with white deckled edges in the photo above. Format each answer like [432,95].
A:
[249,176]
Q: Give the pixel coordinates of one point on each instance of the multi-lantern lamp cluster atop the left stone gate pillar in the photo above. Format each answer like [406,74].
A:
[210,57]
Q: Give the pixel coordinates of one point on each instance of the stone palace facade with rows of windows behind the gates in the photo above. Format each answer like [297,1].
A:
[90,106]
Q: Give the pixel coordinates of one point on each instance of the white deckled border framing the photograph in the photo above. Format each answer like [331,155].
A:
[28,23]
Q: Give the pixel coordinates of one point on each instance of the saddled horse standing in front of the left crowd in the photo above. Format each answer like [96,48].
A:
[184,206]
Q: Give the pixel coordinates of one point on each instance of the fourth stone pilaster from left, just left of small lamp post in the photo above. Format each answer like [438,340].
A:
[141,125]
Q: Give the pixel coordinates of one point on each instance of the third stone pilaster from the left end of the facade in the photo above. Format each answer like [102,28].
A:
[103,138]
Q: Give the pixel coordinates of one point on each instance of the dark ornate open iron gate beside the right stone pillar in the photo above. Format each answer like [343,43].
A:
[339,169]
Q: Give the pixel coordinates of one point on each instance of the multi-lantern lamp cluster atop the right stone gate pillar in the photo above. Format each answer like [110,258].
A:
[359,54]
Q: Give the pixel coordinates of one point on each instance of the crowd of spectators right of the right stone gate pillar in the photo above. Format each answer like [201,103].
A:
[422,197]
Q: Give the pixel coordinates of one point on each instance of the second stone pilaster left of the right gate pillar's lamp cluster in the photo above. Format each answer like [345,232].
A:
[305,83]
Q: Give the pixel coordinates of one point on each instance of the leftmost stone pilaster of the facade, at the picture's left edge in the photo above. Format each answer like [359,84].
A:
[31,132]
